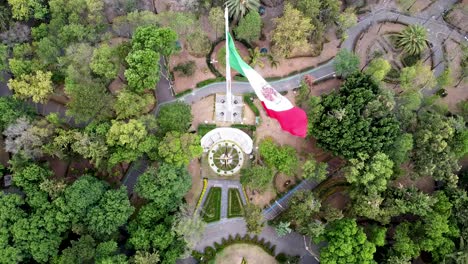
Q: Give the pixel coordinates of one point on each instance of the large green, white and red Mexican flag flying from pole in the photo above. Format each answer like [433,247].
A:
[292,119]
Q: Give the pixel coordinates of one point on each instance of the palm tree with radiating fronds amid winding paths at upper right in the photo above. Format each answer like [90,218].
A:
[413,39]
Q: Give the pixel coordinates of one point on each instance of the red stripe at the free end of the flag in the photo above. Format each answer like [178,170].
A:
[293,120]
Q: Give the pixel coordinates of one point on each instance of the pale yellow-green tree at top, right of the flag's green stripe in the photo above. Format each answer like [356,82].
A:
[291,32]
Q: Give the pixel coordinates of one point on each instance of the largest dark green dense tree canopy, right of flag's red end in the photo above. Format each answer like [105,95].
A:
[355,119]
